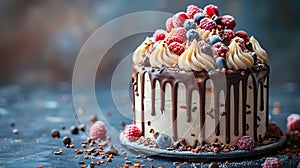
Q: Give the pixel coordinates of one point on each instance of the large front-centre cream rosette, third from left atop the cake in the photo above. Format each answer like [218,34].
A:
[194,59]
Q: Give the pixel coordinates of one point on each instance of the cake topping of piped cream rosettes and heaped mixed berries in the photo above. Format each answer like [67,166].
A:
[200,39]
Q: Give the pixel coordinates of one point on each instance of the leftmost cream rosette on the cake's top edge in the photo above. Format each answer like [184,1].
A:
[142,52]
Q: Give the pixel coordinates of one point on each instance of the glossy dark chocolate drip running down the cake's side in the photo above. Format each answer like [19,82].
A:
[197,81]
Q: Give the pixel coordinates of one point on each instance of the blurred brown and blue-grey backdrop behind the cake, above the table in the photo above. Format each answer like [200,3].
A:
[40,40]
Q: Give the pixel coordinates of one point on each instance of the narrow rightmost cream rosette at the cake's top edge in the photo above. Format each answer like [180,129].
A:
[261,54]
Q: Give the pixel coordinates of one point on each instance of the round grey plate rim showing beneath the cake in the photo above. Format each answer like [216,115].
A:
[140,148]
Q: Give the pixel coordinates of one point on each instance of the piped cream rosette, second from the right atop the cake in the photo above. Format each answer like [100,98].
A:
[237,59]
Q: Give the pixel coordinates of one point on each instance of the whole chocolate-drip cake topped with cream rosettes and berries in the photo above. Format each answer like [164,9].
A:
[199,82]
